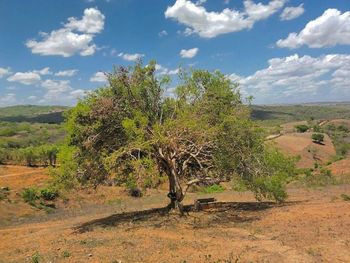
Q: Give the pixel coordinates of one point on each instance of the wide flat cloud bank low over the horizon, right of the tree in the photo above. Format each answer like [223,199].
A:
[296,77]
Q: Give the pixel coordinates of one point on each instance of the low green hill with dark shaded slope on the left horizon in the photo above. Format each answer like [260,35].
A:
[33,113]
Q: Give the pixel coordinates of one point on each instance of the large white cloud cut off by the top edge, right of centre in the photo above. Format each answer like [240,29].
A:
[211,24]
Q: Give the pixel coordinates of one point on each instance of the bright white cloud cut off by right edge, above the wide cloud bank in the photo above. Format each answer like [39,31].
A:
[330,29]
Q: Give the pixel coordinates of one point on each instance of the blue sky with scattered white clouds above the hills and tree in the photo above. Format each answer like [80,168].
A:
[279,51]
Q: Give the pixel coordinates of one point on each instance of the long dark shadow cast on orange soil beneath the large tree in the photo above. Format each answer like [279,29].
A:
[220,212]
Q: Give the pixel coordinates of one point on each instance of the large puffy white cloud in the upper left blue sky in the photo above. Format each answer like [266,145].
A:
[76,36]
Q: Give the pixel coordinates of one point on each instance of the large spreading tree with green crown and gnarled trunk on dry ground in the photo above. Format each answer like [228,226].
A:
[204,134]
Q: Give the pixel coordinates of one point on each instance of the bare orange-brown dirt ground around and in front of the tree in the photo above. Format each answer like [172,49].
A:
[313,226]
